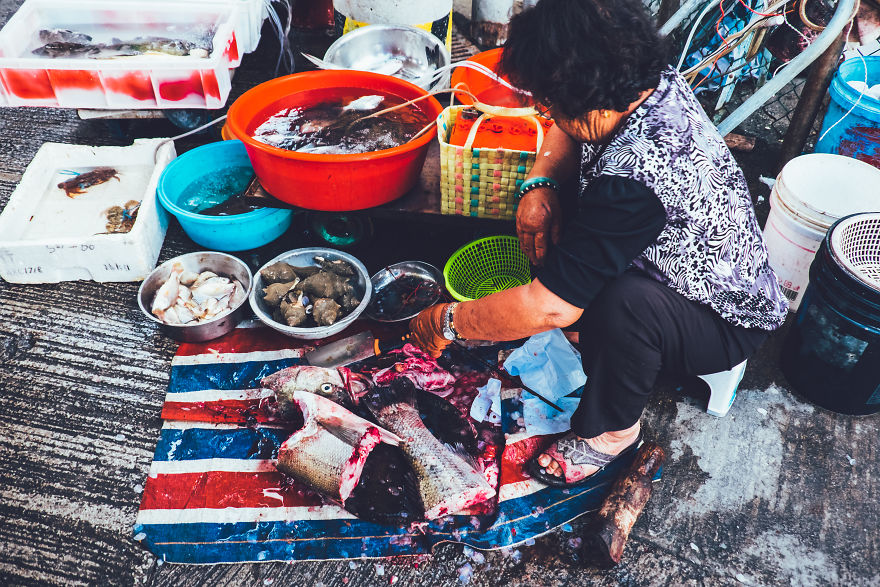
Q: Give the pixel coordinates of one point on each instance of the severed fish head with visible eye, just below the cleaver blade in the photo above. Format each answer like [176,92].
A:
[336,384]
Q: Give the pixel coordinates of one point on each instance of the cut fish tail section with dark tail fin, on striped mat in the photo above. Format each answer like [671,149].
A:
[448,483]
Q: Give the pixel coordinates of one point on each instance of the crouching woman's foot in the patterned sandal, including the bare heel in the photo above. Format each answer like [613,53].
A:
[572,458]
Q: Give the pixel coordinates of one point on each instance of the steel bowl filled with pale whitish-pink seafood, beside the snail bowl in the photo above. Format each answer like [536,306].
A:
[197,296]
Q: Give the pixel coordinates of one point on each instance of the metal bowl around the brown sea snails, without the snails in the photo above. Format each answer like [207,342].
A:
[303,257]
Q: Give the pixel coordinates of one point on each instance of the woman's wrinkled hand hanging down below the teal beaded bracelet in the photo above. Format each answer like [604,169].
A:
[538,223]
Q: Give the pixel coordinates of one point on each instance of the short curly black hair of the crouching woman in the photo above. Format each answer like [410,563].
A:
[583,55]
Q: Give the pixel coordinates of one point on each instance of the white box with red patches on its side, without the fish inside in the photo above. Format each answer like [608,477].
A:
[141,81]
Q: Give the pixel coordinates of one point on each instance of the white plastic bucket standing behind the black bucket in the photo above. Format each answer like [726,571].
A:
[810,194]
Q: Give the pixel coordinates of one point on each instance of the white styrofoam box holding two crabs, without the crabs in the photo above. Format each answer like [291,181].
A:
[47,236]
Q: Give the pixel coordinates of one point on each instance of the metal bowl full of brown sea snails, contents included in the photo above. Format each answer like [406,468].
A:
[311,293]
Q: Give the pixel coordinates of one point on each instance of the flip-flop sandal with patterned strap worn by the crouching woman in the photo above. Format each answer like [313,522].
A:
[571,454]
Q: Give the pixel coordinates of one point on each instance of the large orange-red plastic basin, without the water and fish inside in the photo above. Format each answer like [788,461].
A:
[330,182]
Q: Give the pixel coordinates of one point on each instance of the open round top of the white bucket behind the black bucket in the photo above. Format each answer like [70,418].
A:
[822,188]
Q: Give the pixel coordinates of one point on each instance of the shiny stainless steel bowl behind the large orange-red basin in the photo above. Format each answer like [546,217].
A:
[408,53]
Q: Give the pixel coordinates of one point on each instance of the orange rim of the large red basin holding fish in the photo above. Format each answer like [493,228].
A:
[238,132]
